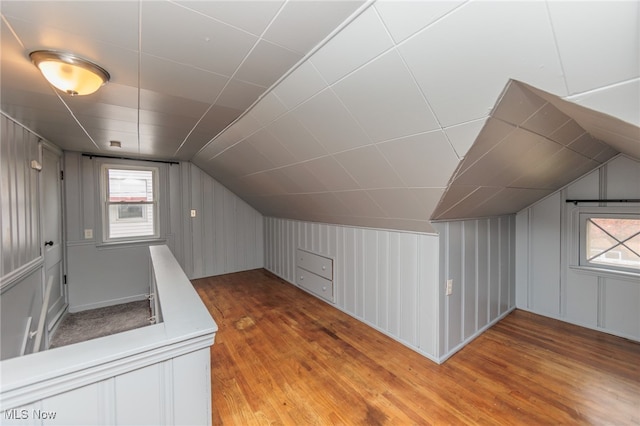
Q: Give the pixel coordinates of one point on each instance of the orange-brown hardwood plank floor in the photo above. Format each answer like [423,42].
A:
[284,357]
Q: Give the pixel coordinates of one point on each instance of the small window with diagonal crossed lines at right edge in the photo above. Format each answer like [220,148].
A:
[610,241]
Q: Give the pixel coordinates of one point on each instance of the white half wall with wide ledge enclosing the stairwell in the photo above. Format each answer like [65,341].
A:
[129,374]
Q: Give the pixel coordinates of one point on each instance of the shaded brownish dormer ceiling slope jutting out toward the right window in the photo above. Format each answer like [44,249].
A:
[527,149]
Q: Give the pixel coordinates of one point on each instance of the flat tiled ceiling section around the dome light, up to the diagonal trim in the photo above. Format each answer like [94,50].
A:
[180,71]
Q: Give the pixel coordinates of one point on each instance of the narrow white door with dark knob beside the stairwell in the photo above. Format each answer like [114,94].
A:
[52,249]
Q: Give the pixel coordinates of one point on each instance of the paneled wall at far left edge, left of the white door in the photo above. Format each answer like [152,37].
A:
[21,262]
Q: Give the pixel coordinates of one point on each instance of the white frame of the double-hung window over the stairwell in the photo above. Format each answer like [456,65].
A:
[105,204]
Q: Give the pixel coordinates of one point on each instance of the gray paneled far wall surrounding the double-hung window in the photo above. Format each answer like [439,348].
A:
[225,236]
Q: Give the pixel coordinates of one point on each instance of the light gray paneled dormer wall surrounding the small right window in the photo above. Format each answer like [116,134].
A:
[548,282]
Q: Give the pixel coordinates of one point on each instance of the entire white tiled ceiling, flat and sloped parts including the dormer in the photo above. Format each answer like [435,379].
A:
[384,114]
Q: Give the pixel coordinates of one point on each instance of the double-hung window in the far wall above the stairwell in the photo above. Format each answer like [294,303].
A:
[130,202]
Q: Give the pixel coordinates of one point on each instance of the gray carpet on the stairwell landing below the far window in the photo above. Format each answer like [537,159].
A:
[87,325]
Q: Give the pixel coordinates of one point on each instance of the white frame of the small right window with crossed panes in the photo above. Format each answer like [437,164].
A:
[582,215]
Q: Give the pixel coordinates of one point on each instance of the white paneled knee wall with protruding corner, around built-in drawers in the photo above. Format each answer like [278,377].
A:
[392,281]
